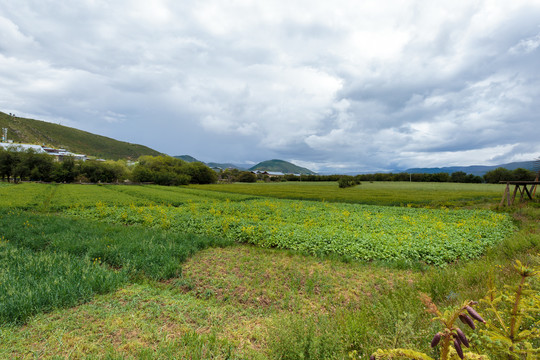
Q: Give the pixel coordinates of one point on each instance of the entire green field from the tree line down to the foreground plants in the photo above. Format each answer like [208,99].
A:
[181,282]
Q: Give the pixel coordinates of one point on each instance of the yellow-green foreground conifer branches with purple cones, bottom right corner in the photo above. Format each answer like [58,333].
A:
[512,331]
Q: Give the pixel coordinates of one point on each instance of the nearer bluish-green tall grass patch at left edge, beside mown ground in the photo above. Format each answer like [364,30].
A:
[32,282]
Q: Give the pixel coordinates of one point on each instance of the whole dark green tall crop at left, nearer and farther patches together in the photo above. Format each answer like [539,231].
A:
[49,261]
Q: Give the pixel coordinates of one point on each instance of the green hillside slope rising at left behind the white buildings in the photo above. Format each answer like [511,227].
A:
[31,131]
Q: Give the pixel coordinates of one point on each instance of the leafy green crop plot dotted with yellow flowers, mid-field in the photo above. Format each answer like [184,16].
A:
[360,232]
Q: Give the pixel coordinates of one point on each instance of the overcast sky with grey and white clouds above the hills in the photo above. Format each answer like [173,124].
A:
[334,86]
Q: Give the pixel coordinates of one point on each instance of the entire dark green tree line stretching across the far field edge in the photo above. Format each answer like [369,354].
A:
[166,170]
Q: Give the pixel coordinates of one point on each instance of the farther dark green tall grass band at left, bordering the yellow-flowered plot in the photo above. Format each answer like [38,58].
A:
[151,253]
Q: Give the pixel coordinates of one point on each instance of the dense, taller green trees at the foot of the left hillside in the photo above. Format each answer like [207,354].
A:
[16,166]
